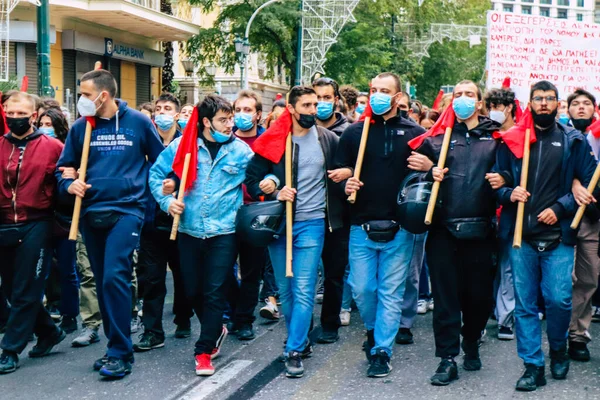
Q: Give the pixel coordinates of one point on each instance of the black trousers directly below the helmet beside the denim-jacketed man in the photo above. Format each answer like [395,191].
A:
[244,298]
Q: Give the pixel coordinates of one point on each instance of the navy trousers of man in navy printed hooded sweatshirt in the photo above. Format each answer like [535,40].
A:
[111,255]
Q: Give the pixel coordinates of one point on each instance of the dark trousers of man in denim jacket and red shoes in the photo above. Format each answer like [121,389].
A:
[205,266]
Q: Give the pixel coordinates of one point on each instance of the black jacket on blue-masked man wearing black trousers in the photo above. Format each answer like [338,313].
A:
[465,193]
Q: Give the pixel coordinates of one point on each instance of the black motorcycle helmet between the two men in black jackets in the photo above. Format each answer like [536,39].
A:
[413,199]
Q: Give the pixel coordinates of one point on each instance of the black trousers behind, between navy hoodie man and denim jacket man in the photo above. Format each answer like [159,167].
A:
[156,252]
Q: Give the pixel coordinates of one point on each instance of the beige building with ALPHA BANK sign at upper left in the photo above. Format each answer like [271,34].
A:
[125,35]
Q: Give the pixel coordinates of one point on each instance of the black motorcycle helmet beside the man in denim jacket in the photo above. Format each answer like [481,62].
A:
[259,223]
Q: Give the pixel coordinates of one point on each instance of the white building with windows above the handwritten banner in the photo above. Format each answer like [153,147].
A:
[576,10]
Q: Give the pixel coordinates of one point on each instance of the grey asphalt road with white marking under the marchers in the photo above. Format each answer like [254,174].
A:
[252,370]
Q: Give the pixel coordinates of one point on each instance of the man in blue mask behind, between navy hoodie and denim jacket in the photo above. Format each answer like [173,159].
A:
[156,250]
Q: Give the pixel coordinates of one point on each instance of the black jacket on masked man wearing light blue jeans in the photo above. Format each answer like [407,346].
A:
[384,166]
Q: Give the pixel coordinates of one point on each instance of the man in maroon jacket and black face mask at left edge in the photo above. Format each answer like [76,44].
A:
[27,191]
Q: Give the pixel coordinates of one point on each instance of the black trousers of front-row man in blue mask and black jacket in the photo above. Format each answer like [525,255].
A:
[462,279]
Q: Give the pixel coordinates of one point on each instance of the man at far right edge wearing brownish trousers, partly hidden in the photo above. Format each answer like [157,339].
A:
[582,105]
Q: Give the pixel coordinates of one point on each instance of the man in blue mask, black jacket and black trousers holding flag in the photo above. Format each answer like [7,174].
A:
[461,244]
